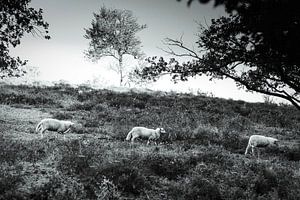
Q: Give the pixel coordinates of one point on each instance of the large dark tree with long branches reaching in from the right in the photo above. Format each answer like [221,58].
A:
[251,47]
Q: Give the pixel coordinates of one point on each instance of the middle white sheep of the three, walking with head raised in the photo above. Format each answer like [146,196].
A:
[143,132]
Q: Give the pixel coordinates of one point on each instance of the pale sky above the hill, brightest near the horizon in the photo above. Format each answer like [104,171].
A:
[62,57]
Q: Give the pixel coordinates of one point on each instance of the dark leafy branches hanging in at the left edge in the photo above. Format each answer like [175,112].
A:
[17,18]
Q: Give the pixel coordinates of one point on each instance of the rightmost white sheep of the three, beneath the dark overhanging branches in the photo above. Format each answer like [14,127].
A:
[257,141]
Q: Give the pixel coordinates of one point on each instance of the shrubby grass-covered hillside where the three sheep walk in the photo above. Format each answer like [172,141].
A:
[200,157]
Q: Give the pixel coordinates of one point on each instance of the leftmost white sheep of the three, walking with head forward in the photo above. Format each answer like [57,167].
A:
[53,125]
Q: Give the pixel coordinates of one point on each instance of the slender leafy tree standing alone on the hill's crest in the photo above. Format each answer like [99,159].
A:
[113,33]
